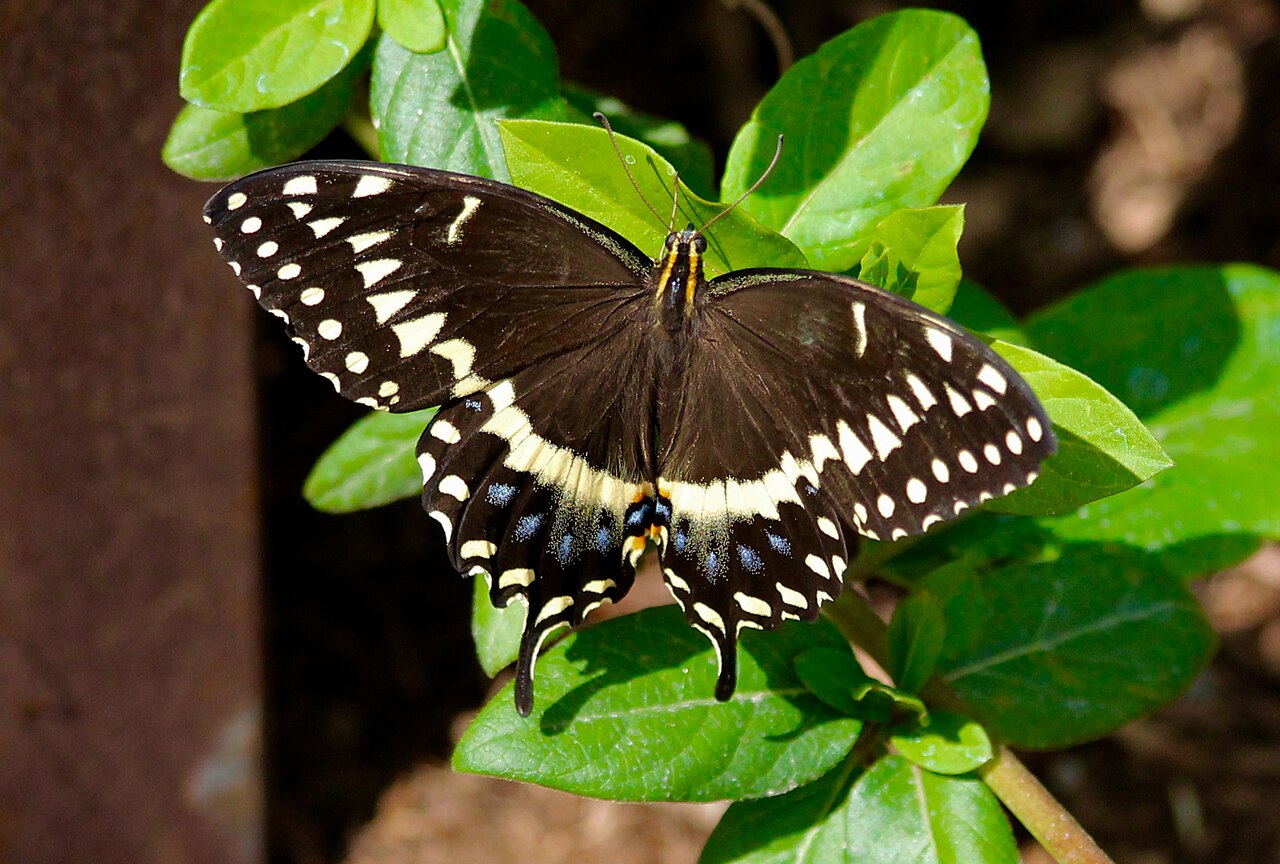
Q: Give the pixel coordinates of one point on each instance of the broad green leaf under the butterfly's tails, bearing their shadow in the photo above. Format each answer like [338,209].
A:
[625,711]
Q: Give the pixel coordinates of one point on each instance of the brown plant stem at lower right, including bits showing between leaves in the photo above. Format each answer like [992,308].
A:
[1057,830]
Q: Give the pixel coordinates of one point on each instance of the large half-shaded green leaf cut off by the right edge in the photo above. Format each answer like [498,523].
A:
[1196,353]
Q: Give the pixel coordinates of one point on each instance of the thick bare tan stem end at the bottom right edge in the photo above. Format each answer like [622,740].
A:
[1050,824]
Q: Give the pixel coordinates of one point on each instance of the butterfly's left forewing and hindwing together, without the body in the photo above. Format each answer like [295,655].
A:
[413,287]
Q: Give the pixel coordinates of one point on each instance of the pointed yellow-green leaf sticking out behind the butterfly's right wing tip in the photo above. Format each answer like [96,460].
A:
[1103,449]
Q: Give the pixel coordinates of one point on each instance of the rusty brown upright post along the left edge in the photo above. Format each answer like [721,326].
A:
[130,652]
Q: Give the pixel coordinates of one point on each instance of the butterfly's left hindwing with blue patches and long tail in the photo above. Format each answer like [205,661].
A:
[538,495]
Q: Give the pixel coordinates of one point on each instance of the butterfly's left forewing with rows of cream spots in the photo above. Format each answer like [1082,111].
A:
[408,287]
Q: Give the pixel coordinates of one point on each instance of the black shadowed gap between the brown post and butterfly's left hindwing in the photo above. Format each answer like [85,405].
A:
[369,655]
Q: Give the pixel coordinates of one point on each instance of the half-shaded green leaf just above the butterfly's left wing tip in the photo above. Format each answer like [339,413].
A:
[209,145]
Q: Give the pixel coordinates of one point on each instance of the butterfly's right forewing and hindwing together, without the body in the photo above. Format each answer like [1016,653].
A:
[816,409]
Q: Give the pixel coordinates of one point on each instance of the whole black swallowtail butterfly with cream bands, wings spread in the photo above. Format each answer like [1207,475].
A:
[596,401]
